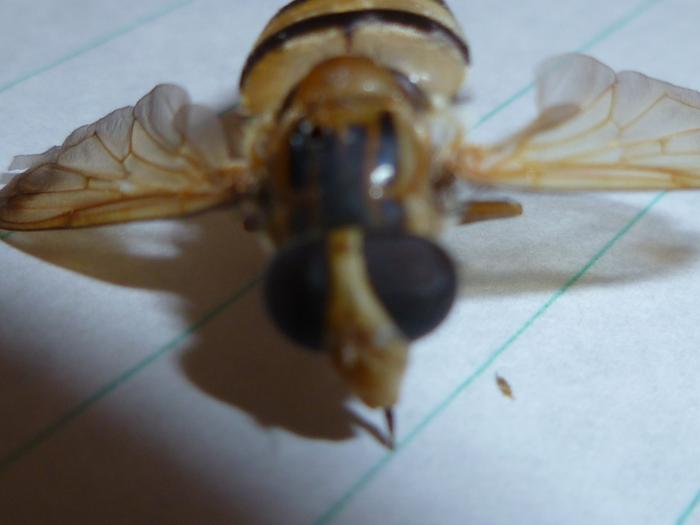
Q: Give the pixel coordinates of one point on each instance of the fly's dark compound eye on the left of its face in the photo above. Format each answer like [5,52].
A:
[296,292]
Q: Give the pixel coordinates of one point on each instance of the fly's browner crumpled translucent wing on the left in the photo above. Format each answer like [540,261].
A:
[159,158]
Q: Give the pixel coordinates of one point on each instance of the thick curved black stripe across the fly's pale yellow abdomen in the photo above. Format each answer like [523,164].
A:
[347,21]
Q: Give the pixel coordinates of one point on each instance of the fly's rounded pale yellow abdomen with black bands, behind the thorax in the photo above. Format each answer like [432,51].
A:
[419,38]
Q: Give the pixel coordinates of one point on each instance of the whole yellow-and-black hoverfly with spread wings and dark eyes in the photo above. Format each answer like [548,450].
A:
[338,153]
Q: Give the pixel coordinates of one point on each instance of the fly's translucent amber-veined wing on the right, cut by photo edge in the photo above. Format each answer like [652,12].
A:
[596,130]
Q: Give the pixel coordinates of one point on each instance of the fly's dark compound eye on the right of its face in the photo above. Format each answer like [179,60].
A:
[414,279]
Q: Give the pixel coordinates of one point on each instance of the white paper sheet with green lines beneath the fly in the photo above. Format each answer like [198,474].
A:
[140,381]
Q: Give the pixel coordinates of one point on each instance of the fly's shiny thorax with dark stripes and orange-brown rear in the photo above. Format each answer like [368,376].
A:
[350,147]
